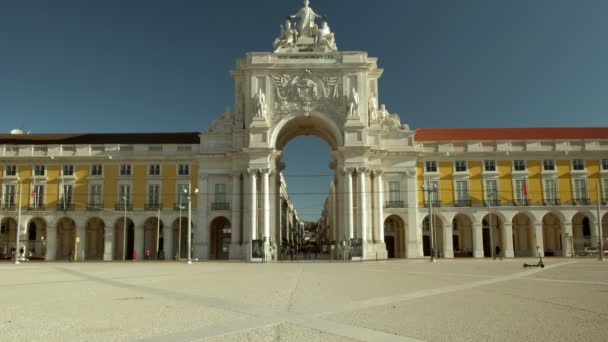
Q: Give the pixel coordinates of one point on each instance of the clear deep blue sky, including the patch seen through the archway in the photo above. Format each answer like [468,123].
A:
[159,66]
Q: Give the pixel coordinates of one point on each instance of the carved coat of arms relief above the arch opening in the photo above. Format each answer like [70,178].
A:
[308,92]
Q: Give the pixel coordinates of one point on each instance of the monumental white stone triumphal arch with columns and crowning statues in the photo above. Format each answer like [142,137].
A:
[307,86]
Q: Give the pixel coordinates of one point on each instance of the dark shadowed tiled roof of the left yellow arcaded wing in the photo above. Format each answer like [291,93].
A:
[100,138]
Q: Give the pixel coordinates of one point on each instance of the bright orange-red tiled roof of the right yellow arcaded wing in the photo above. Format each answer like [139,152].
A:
[472,134]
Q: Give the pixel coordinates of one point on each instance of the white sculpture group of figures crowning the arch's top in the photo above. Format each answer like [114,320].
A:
[306,32]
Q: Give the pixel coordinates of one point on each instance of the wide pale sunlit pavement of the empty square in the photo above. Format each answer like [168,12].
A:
[401,300]
